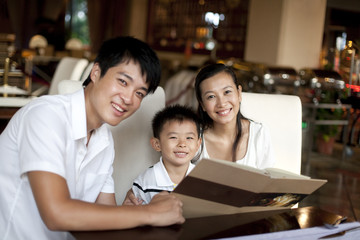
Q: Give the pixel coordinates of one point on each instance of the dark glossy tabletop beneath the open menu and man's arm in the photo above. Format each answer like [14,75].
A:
[224,226]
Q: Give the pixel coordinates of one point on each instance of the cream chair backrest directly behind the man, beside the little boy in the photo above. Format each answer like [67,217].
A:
[133,152]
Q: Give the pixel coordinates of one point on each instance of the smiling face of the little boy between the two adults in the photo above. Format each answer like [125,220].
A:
[178,142]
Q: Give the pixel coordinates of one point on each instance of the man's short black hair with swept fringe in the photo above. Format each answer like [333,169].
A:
[125,49]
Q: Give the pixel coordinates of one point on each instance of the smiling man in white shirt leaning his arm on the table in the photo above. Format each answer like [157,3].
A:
[57,153]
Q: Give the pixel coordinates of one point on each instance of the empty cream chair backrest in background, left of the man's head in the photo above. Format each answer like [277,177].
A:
[68,68]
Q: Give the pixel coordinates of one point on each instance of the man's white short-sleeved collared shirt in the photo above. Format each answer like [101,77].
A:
[49,134]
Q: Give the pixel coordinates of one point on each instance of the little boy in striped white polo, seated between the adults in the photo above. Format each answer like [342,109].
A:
[176,131]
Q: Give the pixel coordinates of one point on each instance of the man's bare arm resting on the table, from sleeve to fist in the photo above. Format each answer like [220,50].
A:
[62,213]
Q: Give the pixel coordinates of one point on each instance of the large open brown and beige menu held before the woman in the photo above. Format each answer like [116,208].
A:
[217,187]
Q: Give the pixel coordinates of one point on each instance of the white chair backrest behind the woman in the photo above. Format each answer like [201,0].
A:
[283,116]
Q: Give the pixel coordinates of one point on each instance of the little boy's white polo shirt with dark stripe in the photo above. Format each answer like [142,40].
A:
[154,180]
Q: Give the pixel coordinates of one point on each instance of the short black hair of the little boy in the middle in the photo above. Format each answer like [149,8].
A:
[174,113]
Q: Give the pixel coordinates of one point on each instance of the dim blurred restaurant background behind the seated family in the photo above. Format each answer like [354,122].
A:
[304,48]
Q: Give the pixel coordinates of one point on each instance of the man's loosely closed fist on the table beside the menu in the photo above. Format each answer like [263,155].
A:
[166,210]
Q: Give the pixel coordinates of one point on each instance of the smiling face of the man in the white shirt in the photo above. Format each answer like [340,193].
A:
[115,96]
